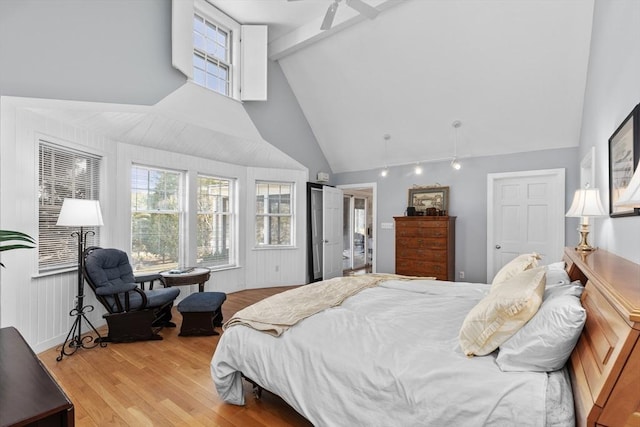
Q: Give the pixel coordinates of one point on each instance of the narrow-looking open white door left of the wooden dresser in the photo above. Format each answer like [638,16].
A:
[331,232]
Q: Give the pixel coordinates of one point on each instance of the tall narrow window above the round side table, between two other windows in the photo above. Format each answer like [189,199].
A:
[216,230]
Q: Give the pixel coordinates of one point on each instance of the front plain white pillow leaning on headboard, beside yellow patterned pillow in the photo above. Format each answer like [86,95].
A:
[545,343]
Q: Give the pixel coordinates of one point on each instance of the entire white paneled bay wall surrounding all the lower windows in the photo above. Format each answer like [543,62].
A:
[38,306]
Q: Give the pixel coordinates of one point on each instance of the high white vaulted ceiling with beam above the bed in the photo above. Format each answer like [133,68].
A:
[512,71]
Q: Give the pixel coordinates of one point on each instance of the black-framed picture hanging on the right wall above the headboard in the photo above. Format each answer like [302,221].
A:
[624,156]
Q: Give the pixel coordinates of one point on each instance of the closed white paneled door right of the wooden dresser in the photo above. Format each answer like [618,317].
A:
[525,213]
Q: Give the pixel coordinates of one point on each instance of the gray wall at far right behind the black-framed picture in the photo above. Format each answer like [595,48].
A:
[613,89]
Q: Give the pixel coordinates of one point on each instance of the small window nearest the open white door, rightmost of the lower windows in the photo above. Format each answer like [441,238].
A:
[274,213]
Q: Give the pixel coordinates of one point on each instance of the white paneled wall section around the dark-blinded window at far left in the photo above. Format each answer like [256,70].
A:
[37,305]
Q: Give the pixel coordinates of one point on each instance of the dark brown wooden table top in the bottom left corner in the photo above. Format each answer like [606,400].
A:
[28,393]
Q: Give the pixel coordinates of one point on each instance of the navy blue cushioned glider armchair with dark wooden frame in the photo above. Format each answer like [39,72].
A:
[133,313]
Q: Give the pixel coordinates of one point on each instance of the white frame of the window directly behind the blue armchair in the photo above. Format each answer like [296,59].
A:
[181,212]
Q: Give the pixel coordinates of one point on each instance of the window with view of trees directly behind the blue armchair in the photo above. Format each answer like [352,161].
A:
[156,218]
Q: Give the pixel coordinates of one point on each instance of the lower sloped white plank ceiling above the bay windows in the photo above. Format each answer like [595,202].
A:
[184,116]
